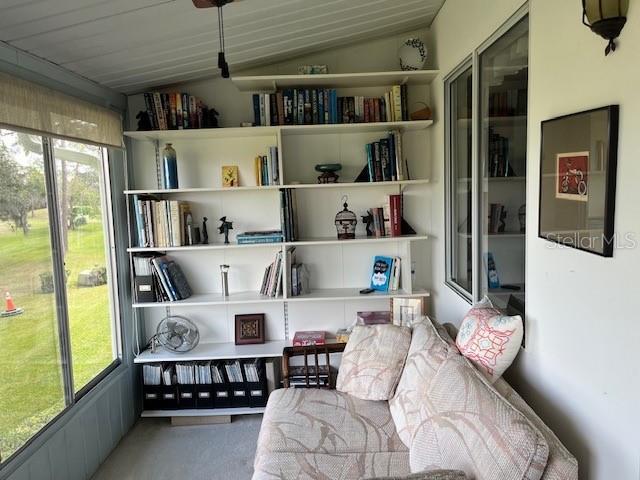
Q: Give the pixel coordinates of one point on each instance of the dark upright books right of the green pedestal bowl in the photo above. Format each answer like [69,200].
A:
[384,159]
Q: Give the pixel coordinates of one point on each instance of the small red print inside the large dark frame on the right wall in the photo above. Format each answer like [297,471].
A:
[572,176]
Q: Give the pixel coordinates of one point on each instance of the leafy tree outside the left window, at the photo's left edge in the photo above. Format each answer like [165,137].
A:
[21,190]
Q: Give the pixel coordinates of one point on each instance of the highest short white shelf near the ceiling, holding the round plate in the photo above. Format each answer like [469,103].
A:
[270,83]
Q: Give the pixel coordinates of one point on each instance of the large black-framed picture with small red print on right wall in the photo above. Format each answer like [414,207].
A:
[578,162]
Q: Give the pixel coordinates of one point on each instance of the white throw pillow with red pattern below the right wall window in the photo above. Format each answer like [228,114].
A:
[490,339]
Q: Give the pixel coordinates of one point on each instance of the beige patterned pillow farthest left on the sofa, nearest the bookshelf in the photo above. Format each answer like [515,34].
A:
[372,361]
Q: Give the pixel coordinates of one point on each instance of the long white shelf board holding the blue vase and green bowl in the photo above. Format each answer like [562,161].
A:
[320,186]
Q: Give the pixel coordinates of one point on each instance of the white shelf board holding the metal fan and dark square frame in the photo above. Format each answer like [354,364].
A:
[215,351]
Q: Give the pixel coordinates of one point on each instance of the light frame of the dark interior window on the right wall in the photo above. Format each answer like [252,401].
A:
[473,60]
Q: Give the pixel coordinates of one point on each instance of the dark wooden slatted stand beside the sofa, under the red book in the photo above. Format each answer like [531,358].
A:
[311,373]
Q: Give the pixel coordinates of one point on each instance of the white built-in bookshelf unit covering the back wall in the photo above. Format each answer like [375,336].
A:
[339,269]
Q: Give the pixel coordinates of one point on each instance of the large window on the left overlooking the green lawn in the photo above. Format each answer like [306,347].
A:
[58,324]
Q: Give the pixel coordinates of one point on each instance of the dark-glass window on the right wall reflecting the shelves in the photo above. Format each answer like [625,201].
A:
[486,173]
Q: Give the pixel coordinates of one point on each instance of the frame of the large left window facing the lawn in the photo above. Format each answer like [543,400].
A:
[71,397]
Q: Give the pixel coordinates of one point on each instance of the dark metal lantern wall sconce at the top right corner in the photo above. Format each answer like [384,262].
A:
[606,18]
